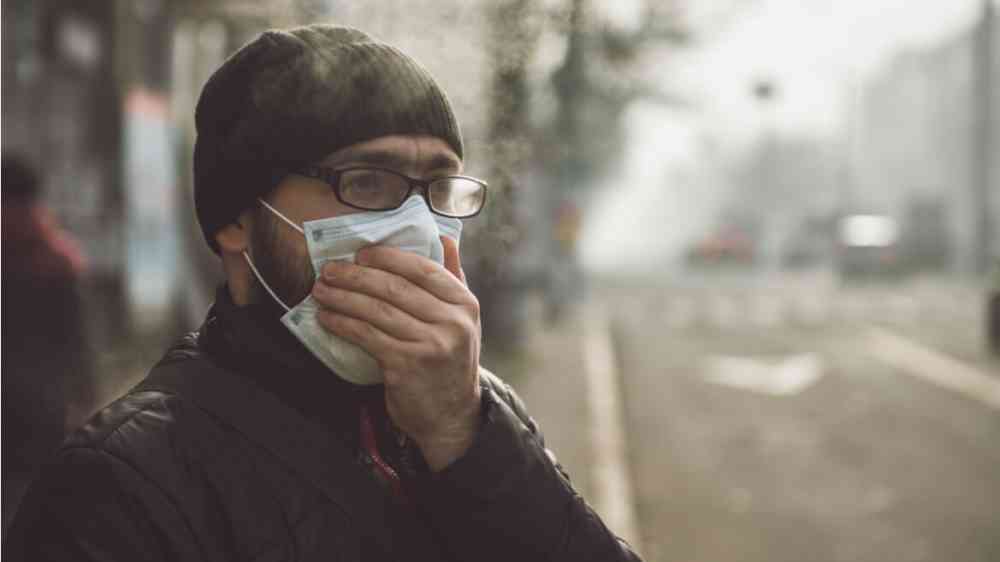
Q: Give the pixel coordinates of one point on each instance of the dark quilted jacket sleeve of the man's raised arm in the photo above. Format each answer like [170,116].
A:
[507,498]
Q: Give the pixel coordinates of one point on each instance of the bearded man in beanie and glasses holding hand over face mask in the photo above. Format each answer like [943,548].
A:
[267,434]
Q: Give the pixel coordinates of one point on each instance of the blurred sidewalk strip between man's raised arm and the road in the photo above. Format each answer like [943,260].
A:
[568,376]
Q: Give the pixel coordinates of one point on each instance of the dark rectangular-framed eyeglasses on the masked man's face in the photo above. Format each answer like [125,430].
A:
[380,189]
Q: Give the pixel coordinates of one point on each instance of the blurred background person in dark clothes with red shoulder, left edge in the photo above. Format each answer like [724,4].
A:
[47,386]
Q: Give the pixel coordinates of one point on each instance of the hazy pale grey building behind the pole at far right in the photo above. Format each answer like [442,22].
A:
[919,145]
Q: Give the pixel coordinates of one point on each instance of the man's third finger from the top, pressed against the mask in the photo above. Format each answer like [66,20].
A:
[383,315]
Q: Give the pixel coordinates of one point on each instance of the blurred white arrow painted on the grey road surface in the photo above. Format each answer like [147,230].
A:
[782,377]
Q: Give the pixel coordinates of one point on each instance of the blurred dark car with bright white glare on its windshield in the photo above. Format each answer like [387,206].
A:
[868,247]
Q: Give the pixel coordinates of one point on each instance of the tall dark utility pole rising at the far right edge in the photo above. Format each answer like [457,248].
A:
[983,140]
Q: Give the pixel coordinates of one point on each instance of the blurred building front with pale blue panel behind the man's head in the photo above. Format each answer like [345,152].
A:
[99,96]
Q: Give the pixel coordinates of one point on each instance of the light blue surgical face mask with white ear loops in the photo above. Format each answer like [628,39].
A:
[412,228]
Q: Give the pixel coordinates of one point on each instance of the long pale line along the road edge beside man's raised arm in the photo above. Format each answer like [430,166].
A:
[613,494]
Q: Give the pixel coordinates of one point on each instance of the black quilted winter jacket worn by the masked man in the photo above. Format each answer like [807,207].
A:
[240,446]
